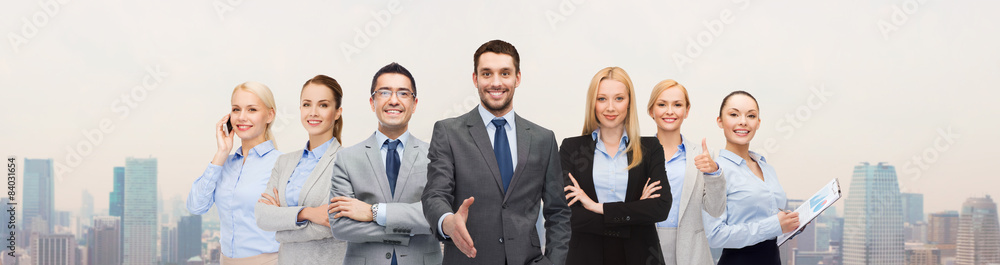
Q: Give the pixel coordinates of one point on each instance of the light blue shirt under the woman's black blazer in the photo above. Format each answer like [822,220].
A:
[610,172]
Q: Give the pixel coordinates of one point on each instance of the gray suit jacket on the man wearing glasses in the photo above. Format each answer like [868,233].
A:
[360,173]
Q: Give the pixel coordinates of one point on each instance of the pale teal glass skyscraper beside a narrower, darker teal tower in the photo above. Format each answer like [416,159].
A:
[139,220]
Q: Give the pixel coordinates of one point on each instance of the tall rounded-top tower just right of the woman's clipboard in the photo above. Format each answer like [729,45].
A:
[873,225]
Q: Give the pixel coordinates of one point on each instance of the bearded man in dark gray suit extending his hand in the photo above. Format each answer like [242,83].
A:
[503,163]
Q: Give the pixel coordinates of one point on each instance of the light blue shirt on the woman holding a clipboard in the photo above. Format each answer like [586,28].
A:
[751,214]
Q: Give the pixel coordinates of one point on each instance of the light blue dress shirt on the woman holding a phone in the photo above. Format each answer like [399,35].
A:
[235,188]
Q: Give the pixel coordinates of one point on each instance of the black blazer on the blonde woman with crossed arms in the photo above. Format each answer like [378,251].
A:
[626,233]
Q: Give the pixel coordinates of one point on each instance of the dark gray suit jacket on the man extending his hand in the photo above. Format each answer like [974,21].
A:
[502,225]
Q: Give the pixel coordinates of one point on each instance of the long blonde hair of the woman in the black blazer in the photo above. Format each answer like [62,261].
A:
[590,122]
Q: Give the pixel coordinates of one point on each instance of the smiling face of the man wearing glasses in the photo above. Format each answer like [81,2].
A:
[393,113]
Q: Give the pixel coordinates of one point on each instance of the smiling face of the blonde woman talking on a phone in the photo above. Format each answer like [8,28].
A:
[250,116]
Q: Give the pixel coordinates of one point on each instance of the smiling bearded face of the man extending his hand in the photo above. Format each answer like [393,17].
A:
[496,78]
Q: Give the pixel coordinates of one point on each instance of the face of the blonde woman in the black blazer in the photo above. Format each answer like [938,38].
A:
[611,104]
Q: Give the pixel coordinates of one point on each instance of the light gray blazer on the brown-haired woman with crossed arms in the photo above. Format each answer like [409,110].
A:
[308,243]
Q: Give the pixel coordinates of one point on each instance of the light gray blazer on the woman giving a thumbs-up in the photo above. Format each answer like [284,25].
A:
[701,192]
